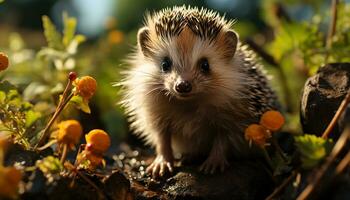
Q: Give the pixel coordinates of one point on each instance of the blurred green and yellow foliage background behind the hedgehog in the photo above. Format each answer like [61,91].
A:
[289,35]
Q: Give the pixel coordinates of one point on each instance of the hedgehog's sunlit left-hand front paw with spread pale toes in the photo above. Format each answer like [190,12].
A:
[160,166]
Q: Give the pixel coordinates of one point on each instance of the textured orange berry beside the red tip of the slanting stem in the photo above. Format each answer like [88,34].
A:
[86,86]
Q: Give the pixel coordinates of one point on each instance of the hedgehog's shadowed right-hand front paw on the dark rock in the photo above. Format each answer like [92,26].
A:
[212,164]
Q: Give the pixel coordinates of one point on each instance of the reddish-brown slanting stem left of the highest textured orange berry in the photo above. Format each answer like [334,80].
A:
[61,105]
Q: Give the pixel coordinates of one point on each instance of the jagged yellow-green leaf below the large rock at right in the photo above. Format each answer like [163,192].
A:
[312,149]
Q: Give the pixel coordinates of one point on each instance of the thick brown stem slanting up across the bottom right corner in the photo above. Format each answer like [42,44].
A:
[341,143]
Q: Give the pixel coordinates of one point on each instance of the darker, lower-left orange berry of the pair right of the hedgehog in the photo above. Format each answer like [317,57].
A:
[257,134]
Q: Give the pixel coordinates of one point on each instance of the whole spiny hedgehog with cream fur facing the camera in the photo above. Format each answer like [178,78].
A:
[192,88]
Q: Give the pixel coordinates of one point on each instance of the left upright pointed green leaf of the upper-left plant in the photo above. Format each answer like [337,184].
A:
[53,37]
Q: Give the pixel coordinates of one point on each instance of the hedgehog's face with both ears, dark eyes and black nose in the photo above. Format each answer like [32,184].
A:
[188,65]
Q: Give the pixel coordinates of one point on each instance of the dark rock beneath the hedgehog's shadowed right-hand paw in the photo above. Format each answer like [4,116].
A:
[243,180]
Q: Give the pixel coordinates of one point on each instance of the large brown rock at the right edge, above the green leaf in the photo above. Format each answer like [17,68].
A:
[322,96]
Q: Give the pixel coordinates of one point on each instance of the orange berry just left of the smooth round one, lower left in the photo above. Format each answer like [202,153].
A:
[69,132]
